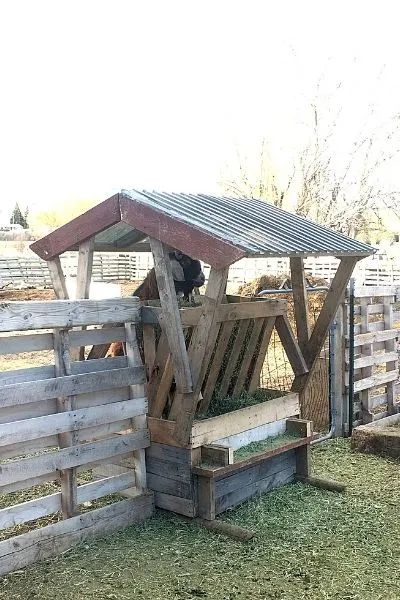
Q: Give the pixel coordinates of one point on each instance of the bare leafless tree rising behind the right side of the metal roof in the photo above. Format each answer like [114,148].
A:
[339,184]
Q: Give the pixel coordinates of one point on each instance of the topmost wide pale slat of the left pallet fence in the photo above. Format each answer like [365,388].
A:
[22,316]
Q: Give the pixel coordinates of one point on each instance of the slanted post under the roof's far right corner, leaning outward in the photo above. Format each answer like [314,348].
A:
[325,319]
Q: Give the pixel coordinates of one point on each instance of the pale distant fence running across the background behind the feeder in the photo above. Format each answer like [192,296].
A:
[32,271]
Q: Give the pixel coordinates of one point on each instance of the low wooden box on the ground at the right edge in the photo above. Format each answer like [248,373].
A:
[380,437]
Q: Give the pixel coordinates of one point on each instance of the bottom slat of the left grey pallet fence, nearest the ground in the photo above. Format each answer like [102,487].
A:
[18,552]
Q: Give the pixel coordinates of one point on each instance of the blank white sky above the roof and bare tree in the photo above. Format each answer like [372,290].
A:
[96,96]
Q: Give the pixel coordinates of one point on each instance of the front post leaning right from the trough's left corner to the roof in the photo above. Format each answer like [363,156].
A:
[201,346]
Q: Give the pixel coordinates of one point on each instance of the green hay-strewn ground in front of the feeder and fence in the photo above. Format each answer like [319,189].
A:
[310,544]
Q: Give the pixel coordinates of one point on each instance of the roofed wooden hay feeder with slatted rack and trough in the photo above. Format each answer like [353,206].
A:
[191,464]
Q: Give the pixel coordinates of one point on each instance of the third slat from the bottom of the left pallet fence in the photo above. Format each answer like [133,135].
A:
[71,457]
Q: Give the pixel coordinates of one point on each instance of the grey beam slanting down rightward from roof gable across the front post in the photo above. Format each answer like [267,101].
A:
[170,318]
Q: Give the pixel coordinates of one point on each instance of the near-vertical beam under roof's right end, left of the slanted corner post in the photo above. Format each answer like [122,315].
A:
[300,299]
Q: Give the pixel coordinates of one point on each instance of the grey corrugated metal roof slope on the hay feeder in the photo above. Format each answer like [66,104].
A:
[254,226]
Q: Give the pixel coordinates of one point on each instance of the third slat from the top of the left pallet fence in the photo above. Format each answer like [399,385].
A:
[24,393]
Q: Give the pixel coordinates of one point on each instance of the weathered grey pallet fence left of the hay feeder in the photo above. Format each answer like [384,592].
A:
[64,424]
